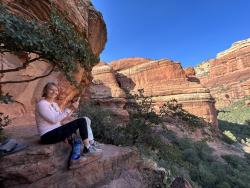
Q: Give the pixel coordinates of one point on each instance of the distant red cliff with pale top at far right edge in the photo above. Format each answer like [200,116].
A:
[228,75]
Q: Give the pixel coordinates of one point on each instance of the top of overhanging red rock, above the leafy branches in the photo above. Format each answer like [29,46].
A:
[87,21]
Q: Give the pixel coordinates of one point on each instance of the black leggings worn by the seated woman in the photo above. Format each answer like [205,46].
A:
[61,133]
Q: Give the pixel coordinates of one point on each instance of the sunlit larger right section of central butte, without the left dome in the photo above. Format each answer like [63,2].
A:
[164,80]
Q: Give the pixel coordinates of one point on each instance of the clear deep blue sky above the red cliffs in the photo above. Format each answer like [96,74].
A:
[188,31]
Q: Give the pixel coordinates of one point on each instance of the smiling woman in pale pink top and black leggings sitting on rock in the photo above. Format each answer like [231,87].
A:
[49,117]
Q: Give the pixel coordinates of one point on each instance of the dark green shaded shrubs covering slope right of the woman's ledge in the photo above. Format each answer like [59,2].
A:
[178,156]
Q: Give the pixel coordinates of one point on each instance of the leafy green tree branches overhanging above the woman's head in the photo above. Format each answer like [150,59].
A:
[54,41]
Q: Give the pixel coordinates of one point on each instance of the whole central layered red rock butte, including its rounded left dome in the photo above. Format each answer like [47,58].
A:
[161,79]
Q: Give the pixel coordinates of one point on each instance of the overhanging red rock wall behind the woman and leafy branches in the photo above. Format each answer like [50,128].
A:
[87,21]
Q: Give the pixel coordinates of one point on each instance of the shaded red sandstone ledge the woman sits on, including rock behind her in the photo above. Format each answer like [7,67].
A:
[46,166]
